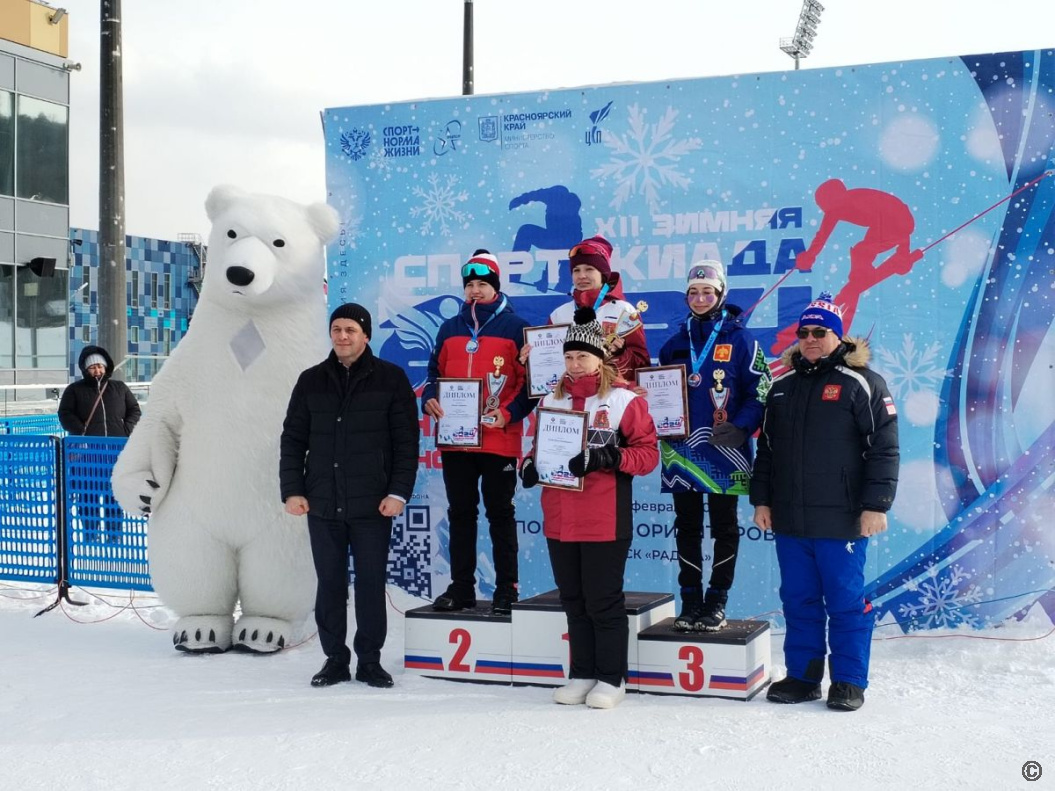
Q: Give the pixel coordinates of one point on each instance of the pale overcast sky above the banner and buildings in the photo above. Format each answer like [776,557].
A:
[231,91]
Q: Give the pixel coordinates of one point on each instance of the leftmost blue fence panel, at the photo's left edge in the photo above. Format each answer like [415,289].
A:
[29,509]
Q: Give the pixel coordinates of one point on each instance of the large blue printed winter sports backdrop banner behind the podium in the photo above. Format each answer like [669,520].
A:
[919,194]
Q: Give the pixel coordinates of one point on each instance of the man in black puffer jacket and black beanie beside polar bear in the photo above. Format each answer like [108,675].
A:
[350,459]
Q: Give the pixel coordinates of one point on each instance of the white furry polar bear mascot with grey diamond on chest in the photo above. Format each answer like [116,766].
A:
[204,461]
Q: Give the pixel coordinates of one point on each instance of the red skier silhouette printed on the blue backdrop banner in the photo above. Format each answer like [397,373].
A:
[889,224]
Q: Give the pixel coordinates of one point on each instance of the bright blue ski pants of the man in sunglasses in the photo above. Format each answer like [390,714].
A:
[822,589]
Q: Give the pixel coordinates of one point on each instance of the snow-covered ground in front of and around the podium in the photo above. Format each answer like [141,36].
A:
[109,705]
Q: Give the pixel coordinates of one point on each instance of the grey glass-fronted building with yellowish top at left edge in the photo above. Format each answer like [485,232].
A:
[34,195]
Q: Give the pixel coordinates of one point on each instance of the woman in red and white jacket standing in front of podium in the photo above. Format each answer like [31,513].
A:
[589,532]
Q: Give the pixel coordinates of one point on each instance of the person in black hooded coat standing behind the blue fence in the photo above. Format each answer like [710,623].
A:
[98,407]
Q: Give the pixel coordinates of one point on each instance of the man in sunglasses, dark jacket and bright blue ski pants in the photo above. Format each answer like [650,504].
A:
[826,476]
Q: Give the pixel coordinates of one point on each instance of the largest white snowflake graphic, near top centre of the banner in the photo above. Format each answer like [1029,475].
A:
[646,159]
